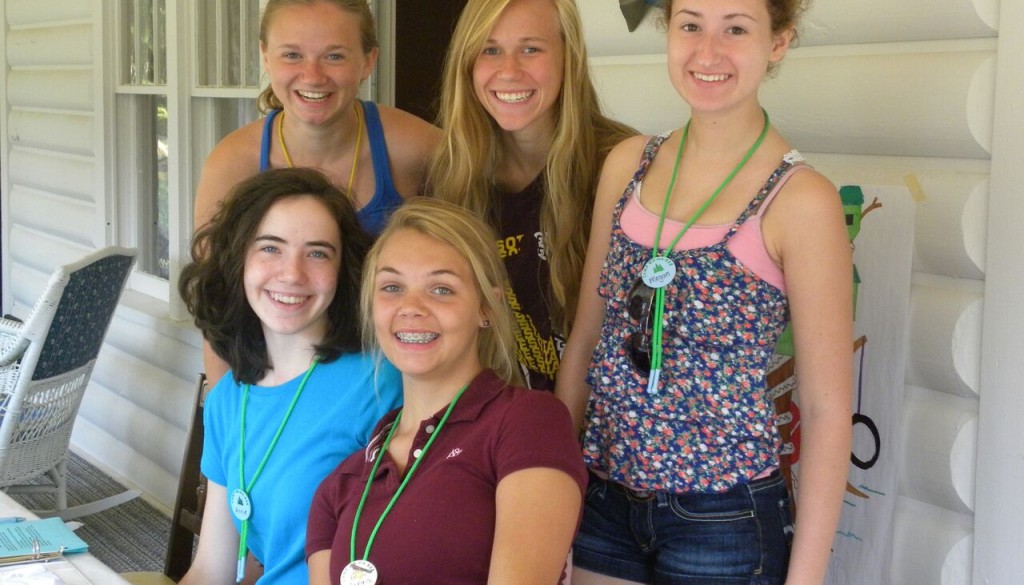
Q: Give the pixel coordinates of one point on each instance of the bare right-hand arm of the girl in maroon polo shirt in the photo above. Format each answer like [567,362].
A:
[537,514]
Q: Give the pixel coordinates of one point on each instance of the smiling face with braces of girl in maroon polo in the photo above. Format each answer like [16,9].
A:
[428,312]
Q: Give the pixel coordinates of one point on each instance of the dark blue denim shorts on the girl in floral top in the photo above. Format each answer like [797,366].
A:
[742,536]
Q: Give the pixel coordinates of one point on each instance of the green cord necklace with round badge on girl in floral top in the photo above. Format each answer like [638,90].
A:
[660,271]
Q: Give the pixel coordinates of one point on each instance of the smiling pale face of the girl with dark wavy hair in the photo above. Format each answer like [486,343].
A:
[291,271]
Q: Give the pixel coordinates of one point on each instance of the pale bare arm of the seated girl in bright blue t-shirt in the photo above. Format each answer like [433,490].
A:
[217,557]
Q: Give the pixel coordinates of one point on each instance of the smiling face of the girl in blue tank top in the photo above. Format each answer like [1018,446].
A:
[315,59]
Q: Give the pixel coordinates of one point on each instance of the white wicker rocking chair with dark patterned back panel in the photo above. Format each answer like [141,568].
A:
[46,365]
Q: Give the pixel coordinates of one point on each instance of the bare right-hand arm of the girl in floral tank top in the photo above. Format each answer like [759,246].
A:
[809,236]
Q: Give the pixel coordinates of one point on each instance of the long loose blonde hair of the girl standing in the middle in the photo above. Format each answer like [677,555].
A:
[465,164]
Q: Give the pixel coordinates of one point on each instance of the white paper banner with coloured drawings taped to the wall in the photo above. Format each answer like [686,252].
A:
[880,221]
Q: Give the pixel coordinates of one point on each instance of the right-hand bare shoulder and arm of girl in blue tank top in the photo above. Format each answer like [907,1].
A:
[411,143]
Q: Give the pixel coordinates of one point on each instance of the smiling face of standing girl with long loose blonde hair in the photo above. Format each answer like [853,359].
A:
[518,77]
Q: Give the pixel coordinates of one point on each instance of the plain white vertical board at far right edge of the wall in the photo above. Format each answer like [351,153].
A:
[999,509]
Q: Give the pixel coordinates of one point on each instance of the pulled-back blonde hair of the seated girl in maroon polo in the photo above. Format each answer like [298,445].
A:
[475,241]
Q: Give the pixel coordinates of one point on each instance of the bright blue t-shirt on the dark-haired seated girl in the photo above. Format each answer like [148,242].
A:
[333,419]
